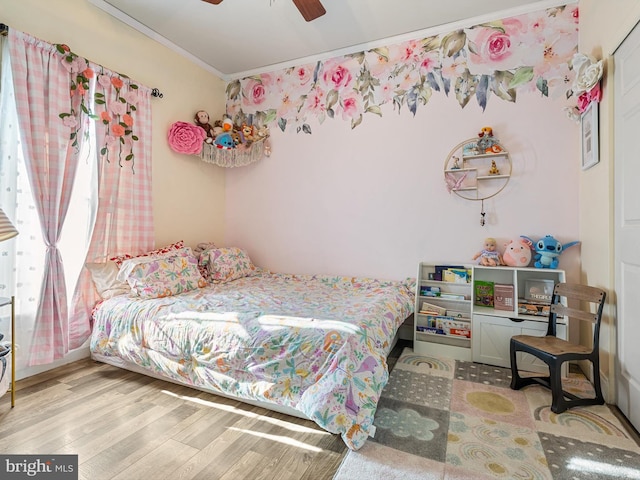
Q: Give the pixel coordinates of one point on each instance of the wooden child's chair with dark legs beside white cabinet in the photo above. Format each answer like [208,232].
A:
[555,351]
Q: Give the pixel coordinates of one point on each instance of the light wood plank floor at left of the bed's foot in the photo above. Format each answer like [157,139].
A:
[126,426]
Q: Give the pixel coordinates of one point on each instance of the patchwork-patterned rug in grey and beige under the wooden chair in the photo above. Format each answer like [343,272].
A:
[447,419]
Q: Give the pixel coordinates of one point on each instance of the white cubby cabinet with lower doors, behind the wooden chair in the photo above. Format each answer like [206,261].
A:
[493,328]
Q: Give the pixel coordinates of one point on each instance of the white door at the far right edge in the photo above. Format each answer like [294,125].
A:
[627,224]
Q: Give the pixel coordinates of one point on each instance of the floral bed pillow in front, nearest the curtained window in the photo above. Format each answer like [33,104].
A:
[155,277]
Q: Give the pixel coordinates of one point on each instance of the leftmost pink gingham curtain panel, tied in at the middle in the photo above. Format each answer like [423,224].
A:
[51,145]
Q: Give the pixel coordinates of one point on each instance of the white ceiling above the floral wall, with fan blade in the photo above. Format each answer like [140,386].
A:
[238,38]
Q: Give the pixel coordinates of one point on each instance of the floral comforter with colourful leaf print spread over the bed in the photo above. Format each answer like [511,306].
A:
[317,344]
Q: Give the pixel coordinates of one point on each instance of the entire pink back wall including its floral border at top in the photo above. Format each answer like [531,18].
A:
[372,200]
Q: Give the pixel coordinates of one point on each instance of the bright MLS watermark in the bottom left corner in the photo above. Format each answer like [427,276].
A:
[49,467]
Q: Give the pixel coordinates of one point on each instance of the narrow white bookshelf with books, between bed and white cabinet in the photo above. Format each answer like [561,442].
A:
[425,343]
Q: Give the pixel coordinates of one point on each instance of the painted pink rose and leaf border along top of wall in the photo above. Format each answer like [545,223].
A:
[528,52]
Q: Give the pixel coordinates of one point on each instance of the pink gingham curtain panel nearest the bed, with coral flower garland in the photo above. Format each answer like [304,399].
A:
[124,218]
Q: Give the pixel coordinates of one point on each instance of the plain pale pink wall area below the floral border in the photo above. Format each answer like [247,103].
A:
[372,201]
